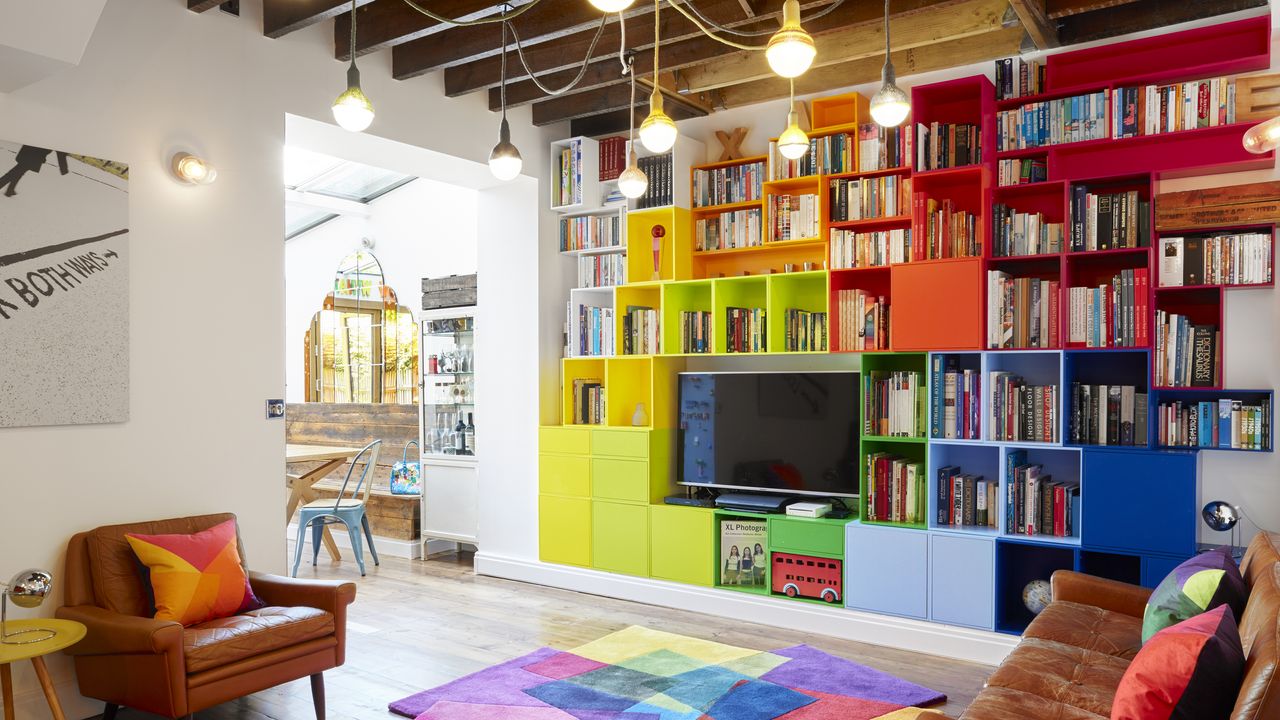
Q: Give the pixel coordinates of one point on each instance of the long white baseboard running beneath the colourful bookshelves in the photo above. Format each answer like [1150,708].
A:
[917,636]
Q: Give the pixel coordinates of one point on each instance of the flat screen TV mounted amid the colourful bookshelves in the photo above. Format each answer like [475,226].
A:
[793,434]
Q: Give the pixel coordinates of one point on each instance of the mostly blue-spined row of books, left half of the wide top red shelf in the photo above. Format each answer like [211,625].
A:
[1053,122]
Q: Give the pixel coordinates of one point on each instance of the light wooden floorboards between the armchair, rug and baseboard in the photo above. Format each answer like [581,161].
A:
[418,625]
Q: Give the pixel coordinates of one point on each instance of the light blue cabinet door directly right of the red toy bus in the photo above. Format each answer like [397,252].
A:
[888,571]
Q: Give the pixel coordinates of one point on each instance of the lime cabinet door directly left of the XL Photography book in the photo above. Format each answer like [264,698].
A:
[682,545]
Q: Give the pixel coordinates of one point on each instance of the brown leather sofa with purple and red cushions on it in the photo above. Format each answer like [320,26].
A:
[1073,655]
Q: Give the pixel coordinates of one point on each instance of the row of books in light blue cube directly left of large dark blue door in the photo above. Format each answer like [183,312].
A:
[1036,504]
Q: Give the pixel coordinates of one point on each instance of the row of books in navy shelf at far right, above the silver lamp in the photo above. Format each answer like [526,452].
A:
[1222,423]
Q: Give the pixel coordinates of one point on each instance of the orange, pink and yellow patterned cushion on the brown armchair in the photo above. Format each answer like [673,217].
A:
[199,577]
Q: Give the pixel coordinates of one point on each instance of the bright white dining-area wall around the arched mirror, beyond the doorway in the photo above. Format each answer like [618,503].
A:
[423,230]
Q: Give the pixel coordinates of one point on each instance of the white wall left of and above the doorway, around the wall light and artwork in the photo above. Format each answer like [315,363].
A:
[208,270]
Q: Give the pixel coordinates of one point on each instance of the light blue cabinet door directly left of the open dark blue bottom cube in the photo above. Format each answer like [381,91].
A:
[962,581]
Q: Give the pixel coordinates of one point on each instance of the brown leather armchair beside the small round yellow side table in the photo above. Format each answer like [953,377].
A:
[130,659]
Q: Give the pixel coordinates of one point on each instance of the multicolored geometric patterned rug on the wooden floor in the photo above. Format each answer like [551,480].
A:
[643,675]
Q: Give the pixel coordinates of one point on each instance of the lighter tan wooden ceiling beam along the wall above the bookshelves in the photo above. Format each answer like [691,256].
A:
[947,21]
